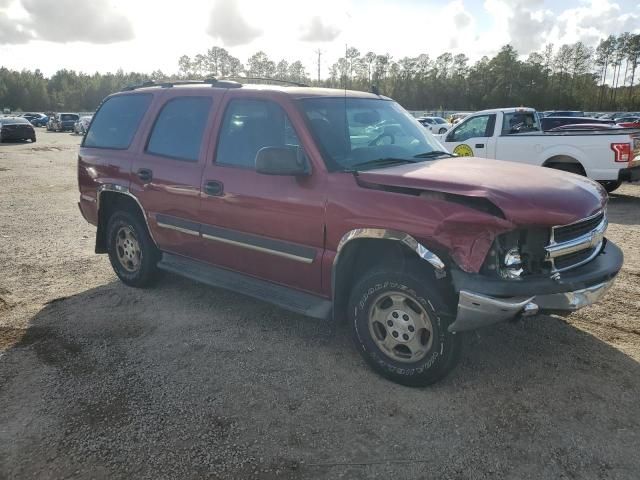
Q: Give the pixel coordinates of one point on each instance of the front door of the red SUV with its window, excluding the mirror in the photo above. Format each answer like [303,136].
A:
[268,226]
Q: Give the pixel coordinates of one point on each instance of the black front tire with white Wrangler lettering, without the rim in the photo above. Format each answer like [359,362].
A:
[444,351]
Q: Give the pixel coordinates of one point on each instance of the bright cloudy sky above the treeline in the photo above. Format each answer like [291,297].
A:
[146,35]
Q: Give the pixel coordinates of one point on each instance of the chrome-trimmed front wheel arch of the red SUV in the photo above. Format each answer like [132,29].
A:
[357,248]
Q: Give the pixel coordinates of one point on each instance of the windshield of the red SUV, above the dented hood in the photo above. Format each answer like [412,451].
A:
[352,131]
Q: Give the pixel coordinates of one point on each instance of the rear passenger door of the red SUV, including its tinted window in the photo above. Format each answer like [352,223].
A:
[166,173]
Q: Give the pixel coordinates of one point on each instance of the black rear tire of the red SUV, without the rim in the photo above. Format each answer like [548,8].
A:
[144,272]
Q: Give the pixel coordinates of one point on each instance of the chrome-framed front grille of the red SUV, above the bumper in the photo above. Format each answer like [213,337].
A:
[576,244]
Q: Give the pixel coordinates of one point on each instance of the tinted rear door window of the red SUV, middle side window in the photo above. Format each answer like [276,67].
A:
[179,127]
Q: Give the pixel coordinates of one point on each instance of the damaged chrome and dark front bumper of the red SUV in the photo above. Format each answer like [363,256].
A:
[483,301]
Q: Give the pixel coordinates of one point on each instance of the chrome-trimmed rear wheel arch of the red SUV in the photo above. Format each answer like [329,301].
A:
[112,198]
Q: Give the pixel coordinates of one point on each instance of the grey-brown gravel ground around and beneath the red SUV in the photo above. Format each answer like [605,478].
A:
[98,380]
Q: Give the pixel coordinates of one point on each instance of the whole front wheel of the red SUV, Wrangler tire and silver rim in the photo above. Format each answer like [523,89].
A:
[399,323]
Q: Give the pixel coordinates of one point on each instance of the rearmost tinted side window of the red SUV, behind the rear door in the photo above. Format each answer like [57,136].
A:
[116,122]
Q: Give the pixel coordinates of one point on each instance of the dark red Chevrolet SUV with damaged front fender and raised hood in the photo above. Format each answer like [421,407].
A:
[338,205]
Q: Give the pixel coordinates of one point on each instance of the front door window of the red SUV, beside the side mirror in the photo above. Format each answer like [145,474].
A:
[250,125]
